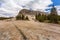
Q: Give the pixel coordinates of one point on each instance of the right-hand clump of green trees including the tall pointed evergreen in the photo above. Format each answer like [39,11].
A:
[53,17]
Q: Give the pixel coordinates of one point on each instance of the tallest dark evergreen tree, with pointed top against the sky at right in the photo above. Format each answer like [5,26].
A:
[53,17]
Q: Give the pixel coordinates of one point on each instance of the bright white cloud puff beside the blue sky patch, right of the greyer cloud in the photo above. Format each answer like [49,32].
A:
[42,4]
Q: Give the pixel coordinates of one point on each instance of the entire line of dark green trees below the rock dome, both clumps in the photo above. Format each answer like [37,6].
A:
[53,17]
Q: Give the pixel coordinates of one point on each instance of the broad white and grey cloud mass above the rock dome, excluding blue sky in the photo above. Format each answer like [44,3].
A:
[13,6]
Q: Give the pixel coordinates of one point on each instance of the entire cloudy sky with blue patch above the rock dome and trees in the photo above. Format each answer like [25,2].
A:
[12,7]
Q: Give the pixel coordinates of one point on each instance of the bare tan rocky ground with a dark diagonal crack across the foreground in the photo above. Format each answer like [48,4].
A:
[28,30]
